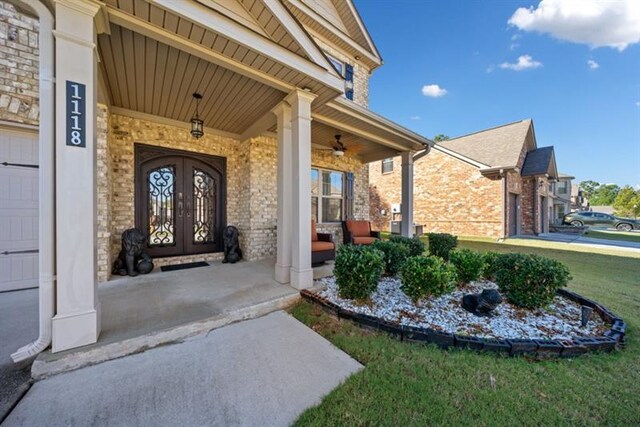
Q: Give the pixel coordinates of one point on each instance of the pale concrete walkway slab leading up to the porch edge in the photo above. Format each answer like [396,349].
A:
[265,371]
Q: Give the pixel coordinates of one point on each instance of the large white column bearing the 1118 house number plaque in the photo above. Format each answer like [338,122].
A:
[77,321]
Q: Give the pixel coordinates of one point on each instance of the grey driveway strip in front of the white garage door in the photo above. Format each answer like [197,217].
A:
[18,327]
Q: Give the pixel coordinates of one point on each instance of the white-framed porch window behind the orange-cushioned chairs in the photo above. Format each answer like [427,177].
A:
[327,188]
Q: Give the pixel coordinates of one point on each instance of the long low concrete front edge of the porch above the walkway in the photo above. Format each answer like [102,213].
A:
[48,364]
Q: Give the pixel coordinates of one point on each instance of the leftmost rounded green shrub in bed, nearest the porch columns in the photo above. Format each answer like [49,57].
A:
[357,270]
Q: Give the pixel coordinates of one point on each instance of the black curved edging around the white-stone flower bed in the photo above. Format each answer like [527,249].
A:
[613,338]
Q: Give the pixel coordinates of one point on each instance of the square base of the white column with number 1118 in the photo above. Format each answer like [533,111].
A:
[75,330]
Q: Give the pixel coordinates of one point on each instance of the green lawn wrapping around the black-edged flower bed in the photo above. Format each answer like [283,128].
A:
[412,384]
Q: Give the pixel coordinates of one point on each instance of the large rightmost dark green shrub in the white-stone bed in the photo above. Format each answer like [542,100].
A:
[530,281]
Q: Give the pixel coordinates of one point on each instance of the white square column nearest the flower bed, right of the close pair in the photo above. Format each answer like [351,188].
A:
[301,271]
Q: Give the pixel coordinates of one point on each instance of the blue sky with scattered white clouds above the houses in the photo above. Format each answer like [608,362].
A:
[573,66]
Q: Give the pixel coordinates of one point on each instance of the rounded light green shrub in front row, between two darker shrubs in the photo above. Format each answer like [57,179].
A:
[422,276]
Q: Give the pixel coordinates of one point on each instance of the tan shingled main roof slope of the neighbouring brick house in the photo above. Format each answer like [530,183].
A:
[495,147]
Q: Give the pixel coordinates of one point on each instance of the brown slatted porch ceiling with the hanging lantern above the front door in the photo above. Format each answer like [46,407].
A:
[147,76]
